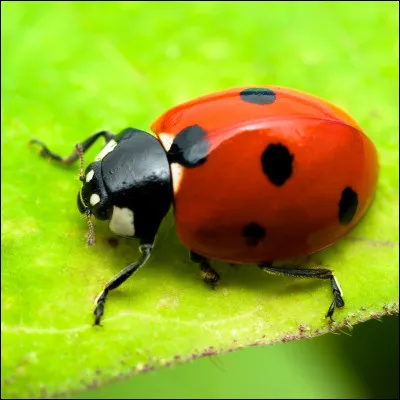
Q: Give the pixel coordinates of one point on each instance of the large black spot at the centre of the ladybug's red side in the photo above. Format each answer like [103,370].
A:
[277,163]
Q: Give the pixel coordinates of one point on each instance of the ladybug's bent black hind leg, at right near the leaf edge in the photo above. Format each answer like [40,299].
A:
[312,273]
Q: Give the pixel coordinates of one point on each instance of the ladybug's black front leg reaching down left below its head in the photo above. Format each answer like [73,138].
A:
[118,279]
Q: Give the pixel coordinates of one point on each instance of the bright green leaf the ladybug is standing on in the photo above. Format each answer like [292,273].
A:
[69,69]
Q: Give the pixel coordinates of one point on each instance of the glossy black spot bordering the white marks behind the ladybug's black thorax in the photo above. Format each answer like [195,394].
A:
[190,147]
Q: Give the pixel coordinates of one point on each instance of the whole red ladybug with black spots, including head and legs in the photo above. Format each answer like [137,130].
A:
[254,174]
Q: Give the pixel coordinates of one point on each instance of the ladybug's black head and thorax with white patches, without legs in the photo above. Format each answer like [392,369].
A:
[129,184]
